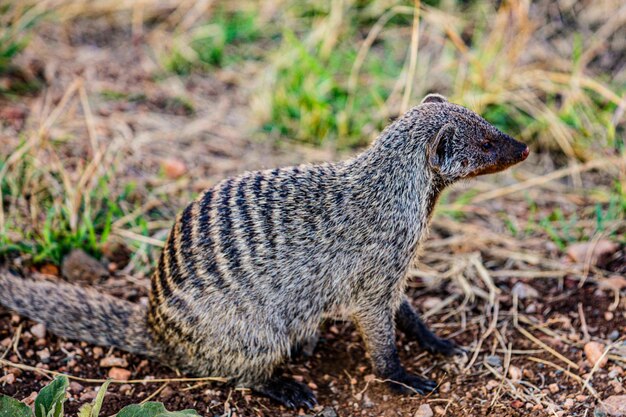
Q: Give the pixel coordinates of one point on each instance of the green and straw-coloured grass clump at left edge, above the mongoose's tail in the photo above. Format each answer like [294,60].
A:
[44,214]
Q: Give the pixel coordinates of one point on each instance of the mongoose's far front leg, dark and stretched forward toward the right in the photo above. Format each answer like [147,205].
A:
[409,322]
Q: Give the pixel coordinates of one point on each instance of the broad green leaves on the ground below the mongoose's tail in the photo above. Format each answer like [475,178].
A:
[49,403]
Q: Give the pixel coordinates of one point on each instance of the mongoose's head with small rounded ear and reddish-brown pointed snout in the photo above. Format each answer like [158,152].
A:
[464,145]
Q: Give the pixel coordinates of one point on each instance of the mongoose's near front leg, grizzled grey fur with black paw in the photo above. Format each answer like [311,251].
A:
[378,332]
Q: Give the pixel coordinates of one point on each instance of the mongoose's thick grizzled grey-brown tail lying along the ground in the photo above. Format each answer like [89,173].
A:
[79,313]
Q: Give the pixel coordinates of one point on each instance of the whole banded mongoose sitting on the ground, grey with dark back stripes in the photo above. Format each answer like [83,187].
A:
[252,265]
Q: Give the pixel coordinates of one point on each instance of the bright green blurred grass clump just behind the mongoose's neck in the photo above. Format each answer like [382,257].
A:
[310,98]
